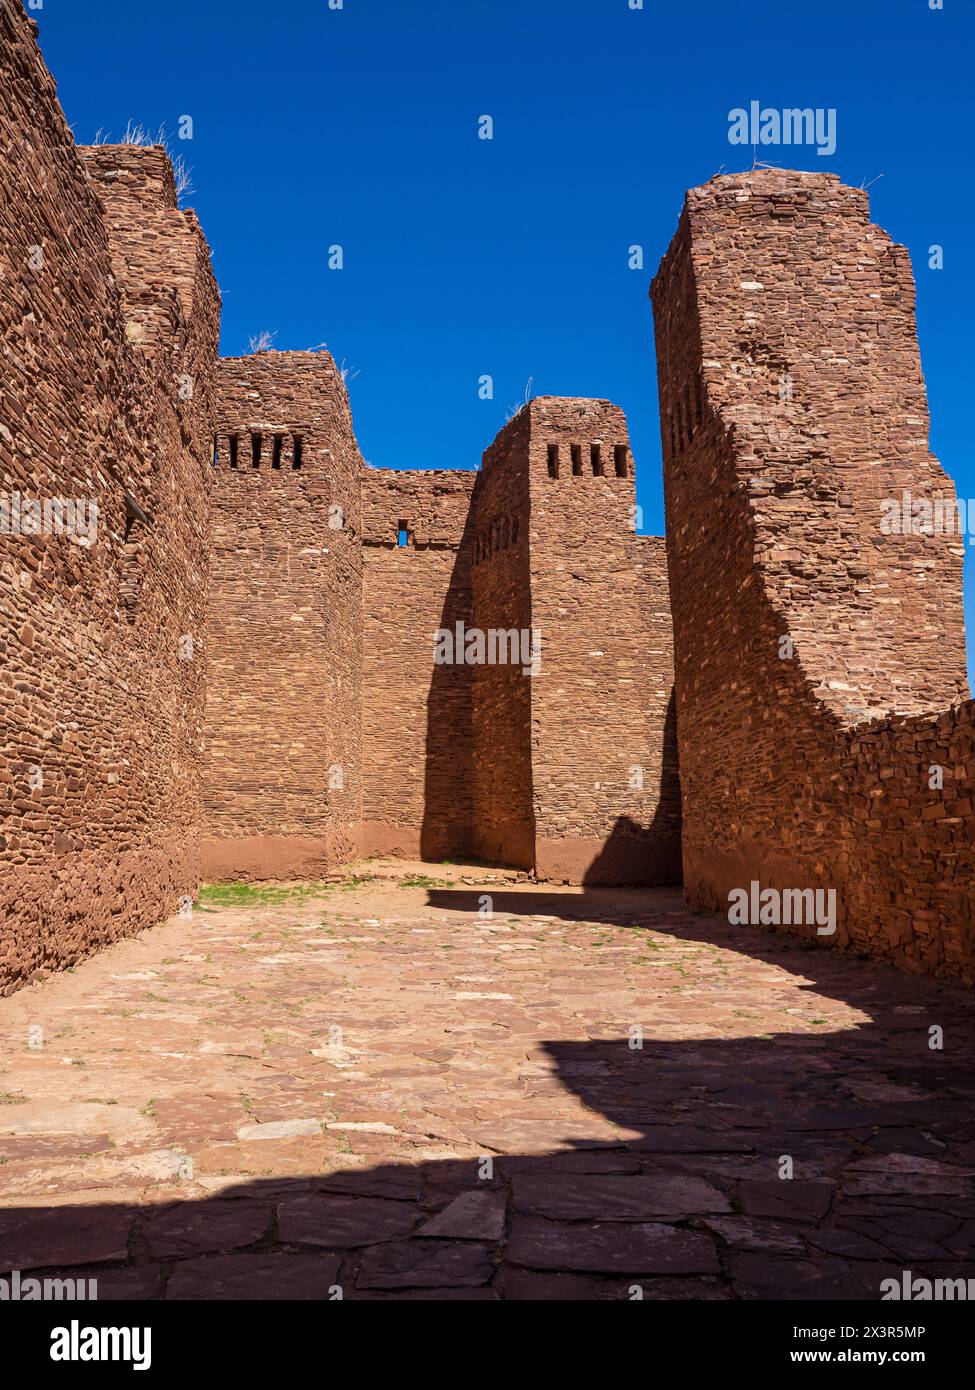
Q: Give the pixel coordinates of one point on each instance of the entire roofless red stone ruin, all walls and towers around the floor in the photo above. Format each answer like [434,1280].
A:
[268,658]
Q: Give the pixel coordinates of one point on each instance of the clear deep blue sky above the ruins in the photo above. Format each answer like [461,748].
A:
[510,258]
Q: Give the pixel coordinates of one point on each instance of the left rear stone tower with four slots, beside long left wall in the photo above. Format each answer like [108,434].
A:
[284,710]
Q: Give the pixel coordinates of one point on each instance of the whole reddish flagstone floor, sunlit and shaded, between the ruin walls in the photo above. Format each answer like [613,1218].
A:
[387,1090]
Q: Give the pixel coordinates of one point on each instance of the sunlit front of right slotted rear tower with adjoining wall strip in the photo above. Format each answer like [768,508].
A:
[600,700]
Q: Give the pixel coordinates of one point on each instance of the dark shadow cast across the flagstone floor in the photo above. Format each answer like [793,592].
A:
[668,1175]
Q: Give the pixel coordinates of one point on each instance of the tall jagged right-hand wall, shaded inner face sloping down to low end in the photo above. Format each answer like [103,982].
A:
[792,408]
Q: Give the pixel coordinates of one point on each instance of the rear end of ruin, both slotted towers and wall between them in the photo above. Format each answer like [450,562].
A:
[442,758]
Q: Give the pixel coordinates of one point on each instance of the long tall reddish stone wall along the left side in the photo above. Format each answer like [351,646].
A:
[101,696]
